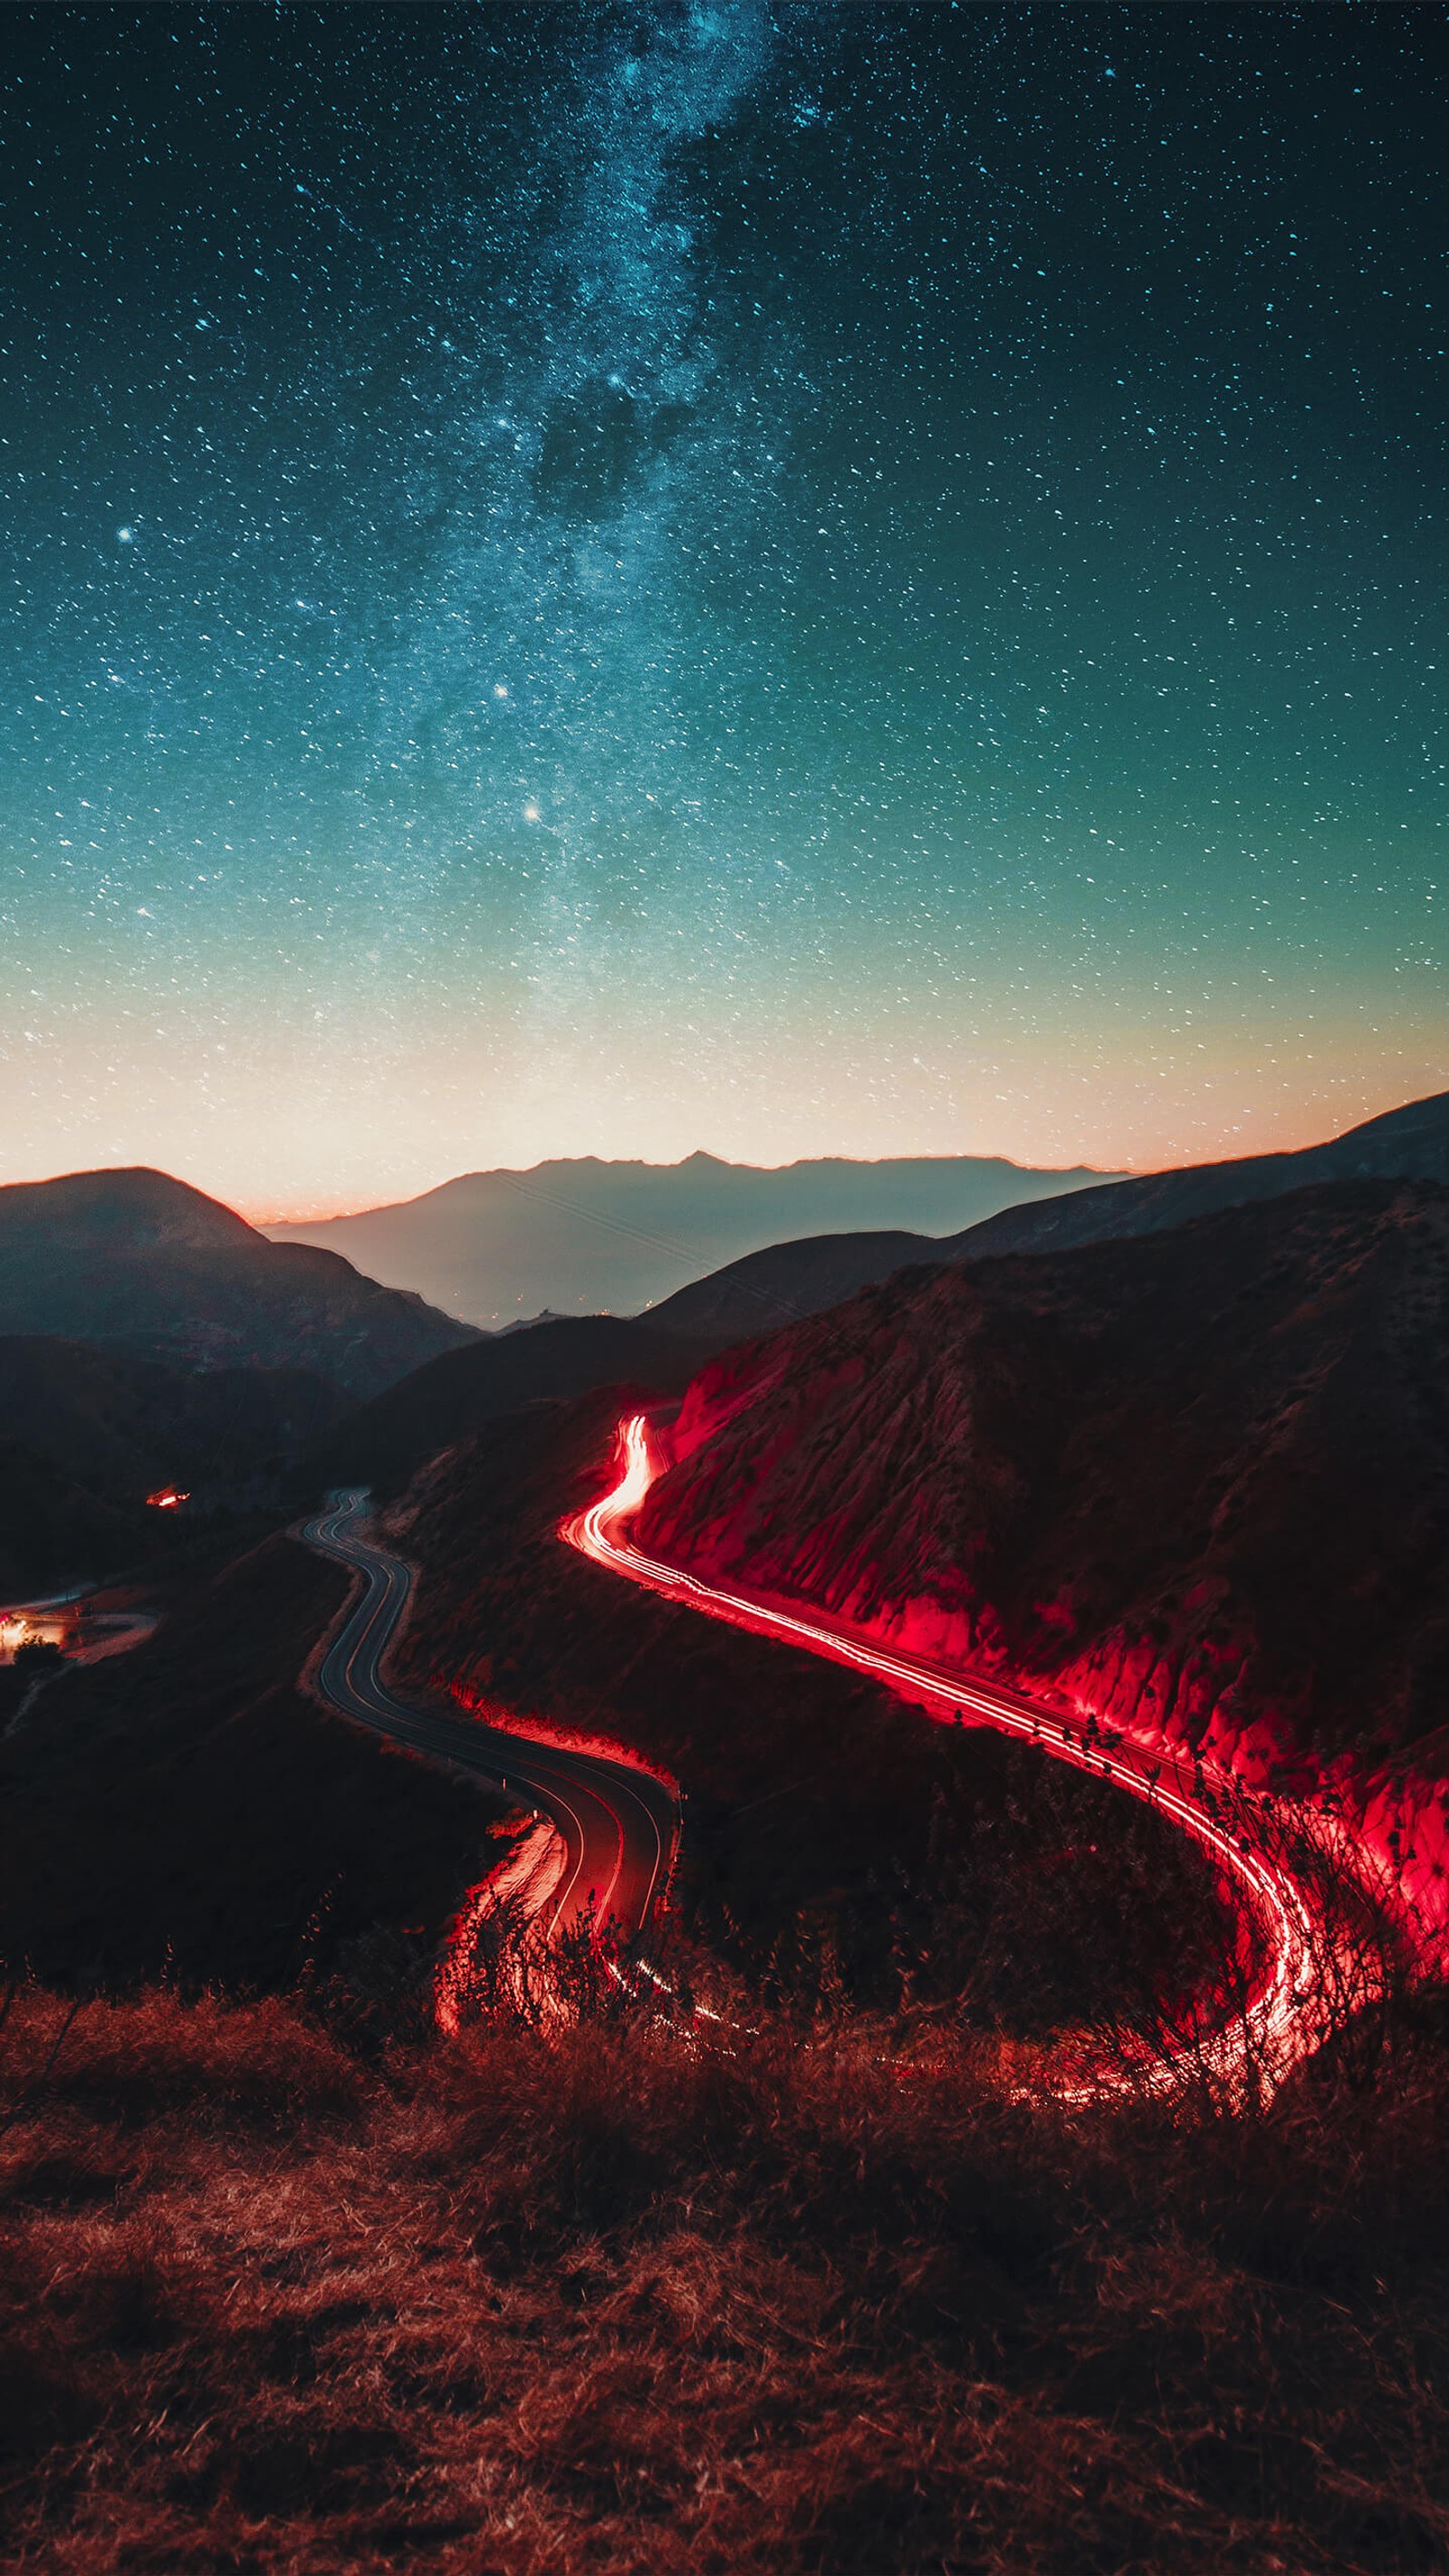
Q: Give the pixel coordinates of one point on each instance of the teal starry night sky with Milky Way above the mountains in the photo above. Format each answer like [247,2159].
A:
[745,576]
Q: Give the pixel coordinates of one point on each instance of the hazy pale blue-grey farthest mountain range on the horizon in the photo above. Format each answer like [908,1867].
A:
[616,1238]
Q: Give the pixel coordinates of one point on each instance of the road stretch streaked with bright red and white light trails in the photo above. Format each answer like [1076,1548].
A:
[1283,2016]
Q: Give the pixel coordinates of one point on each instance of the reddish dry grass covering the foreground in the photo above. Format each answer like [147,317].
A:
[609,2302]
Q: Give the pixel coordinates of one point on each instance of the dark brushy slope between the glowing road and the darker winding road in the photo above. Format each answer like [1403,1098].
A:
[830,1830]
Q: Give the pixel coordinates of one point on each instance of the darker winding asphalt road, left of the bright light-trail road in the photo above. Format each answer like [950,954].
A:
[619,1825]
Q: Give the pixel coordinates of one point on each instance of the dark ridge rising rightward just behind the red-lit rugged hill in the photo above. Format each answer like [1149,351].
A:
[807,1276]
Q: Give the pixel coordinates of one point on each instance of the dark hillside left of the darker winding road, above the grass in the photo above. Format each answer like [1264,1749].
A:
[189,1810]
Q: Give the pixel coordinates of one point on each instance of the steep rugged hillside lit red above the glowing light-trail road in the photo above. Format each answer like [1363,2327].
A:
[1201,1480]
